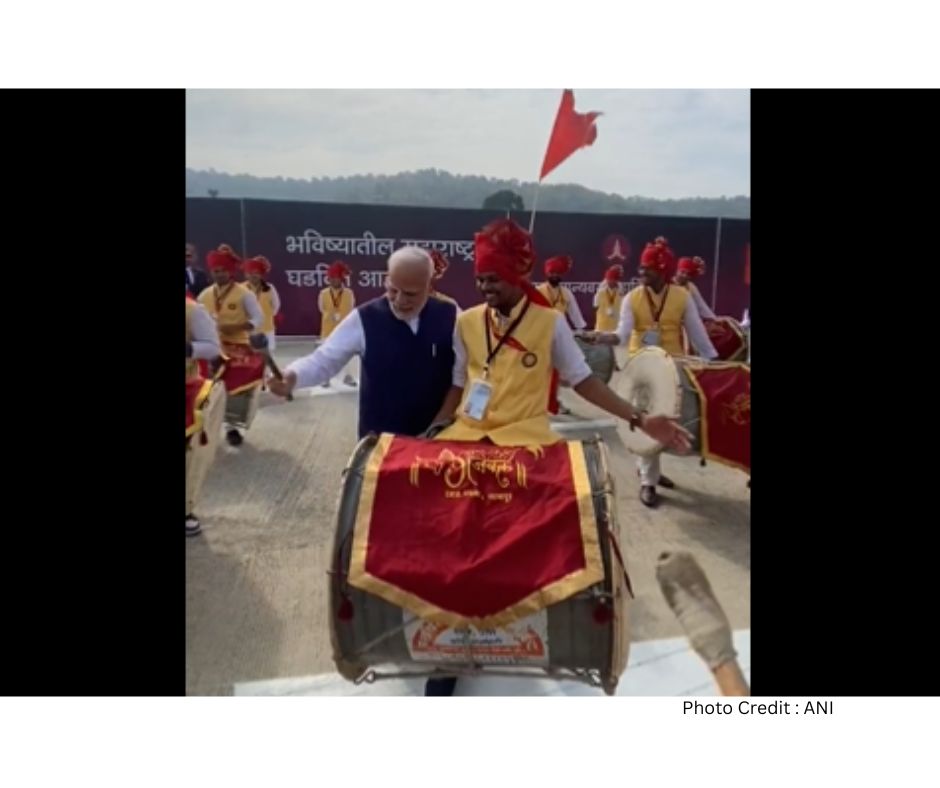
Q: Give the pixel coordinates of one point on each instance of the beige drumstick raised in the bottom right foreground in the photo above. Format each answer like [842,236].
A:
[691,598]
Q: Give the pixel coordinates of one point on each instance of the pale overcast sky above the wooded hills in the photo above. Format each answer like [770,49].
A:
[654,143]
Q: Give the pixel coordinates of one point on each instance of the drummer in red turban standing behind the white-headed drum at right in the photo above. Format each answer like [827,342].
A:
[656,313]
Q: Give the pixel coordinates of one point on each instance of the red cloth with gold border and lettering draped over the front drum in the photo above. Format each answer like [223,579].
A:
[494,533]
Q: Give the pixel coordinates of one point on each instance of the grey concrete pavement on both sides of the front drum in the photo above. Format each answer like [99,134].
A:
[256,582]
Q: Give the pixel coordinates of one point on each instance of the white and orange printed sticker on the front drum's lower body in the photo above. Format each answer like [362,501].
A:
[524,642]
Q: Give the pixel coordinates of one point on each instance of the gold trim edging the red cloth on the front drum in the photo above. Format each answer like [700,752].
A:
[593,571]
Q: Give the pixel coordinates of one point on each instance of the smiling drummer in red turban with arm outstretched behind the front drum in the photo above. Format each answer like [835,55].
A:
[506,348]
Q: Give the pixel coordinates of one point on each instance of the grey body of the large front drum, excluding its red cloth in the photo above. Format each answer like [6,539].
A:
[583,637]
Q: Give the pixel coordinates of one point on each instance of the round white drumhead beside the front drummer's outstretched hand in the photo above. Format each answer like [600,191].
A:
[649,381]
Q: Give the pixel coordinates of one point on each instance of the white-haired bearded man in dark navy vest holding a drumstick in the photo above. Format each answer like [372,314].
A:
[405,340]
